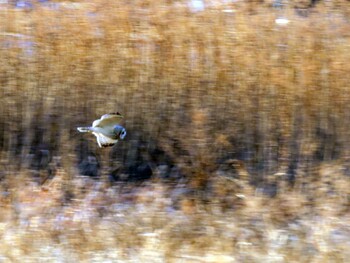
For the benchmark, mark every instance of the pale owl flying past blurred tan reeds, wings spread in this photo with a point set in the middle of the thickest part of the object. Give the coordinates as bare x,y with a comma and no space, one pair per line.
106,129
